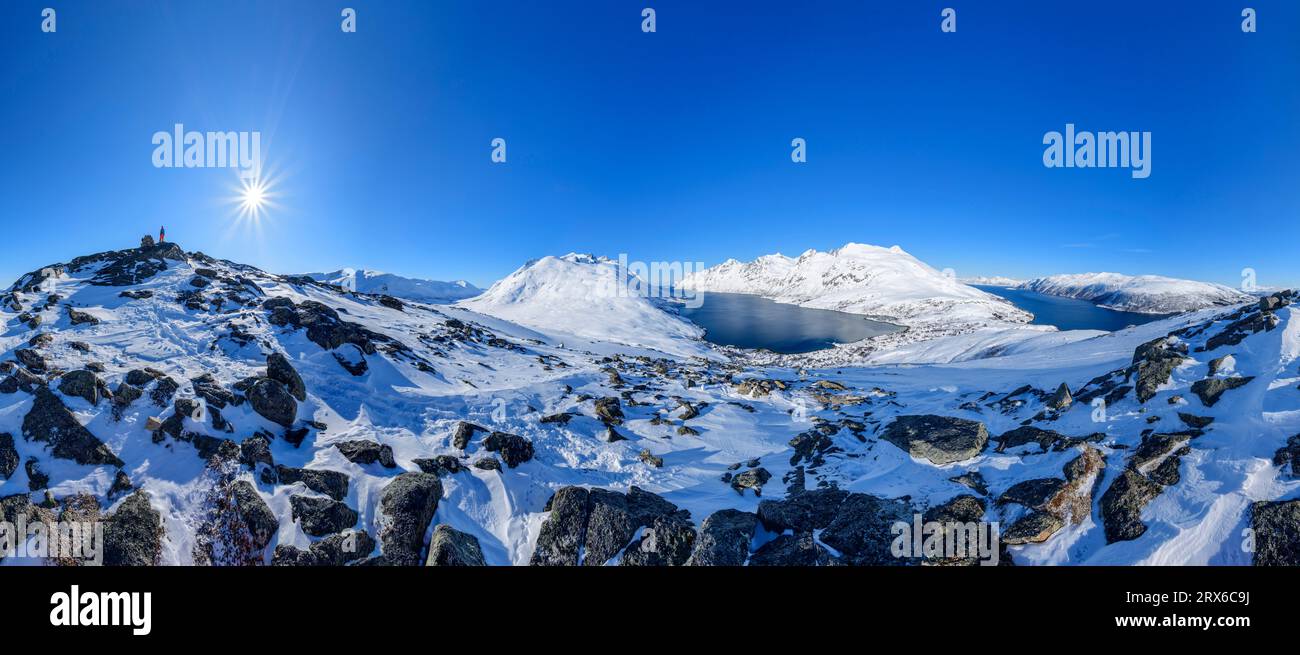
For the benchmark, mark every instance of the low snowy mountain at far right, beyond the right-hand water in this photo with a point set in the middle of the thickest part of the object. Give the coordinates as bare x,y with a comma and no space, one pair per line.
1141,294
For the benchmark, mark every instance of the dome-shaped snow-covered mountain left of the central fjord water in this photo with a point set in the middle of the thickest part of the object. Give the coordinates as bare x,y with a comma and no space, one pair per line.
588,297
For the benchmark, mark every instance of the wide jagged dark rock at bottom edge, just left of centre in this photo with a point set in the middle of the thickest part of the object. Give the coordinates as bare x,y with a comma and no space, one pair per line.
591,527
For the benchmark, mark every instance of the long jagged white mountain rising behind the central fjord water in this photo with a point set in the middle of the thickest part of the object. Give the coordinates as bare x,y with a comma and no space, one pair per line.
866,280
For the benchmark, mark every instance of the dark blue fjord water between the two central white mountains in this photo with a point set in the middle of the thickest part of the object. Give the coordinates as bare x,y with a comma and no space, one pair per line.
751,322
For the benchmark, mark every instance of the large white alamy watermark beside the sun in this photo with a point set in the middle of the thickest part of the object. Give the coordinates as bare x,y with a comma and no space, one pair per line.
181,149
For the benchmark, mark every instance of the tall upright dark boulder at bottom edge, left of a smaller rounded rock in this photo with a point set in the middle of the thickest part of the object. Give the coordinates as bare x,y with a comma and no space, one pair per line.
408,509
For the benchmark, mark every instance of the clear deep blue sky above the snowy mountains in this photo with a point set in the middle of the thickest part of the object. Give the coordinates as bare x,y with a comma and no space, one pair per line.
669,146
